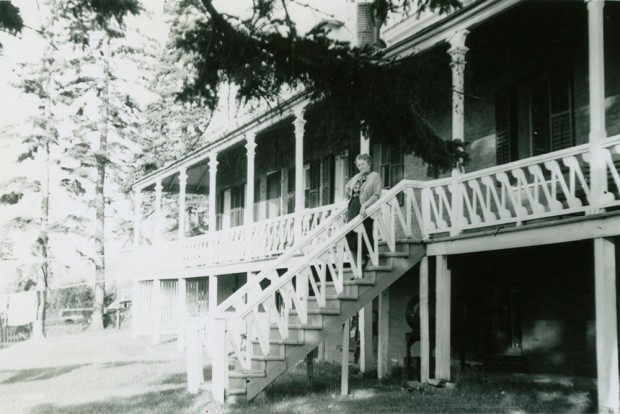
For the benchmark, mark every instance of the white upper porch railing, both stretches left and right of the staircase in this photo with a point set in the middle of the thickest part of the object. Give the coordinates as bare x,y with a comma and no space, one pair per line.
545,187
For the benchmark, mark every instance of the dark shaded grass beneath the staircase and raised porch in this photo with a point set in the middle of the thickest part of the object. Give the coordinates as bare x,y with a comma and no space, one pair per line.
292,393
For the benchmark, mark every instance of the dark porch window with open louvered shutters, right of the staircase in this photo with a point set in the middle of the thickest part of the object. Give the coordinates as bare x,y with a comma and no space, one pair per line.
534,116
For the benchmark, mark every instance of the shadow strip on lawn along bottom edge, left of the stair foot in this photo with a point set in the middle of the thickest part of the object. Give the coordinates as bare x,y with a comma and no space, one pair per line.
170,401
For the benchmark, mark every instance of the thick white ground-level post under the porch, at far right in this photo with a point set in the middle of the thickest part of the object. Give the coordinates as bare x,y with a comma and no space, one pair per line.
606,326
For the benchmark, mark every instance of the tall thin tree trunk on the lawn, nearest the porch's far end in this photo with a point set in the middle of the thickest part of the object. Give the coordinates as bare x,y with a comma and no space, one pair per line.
99,306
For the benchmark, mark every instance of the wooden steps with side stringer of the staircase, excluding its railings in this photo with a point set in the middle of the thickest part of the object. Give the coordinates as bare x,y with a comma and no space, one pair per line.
245,384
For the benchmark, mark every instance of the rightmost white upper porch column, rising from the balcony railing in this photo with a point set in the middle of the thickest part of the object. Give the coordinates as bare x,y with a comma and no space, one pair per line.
596,45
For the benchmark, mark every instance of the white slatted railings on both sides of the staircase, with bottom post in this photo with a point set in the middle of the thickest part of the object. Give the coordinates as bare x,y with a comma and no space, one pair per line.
249,313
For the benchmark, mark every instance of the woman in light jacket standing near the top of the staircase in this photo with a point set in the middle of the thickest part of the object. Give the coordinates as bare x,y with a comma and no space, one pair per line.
362,190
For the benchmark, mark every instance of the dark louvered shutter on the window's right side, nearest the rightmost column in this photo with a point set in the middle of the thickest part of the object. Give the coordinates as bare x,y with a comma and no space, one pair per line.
561,111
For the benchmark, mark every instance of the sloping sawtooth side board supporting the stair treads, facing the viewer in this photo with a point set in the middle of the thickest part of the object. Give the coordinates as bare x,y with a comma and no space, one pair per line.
333,323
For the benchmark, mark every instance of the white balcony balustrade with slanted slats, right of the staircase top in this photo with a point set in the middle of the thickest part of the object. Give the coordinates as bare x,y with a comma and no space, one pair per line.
549,186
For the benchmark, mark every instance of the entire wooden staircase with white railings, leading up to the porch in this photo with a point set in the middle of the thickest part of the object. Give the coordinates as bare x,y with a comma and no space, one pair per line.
286,311
